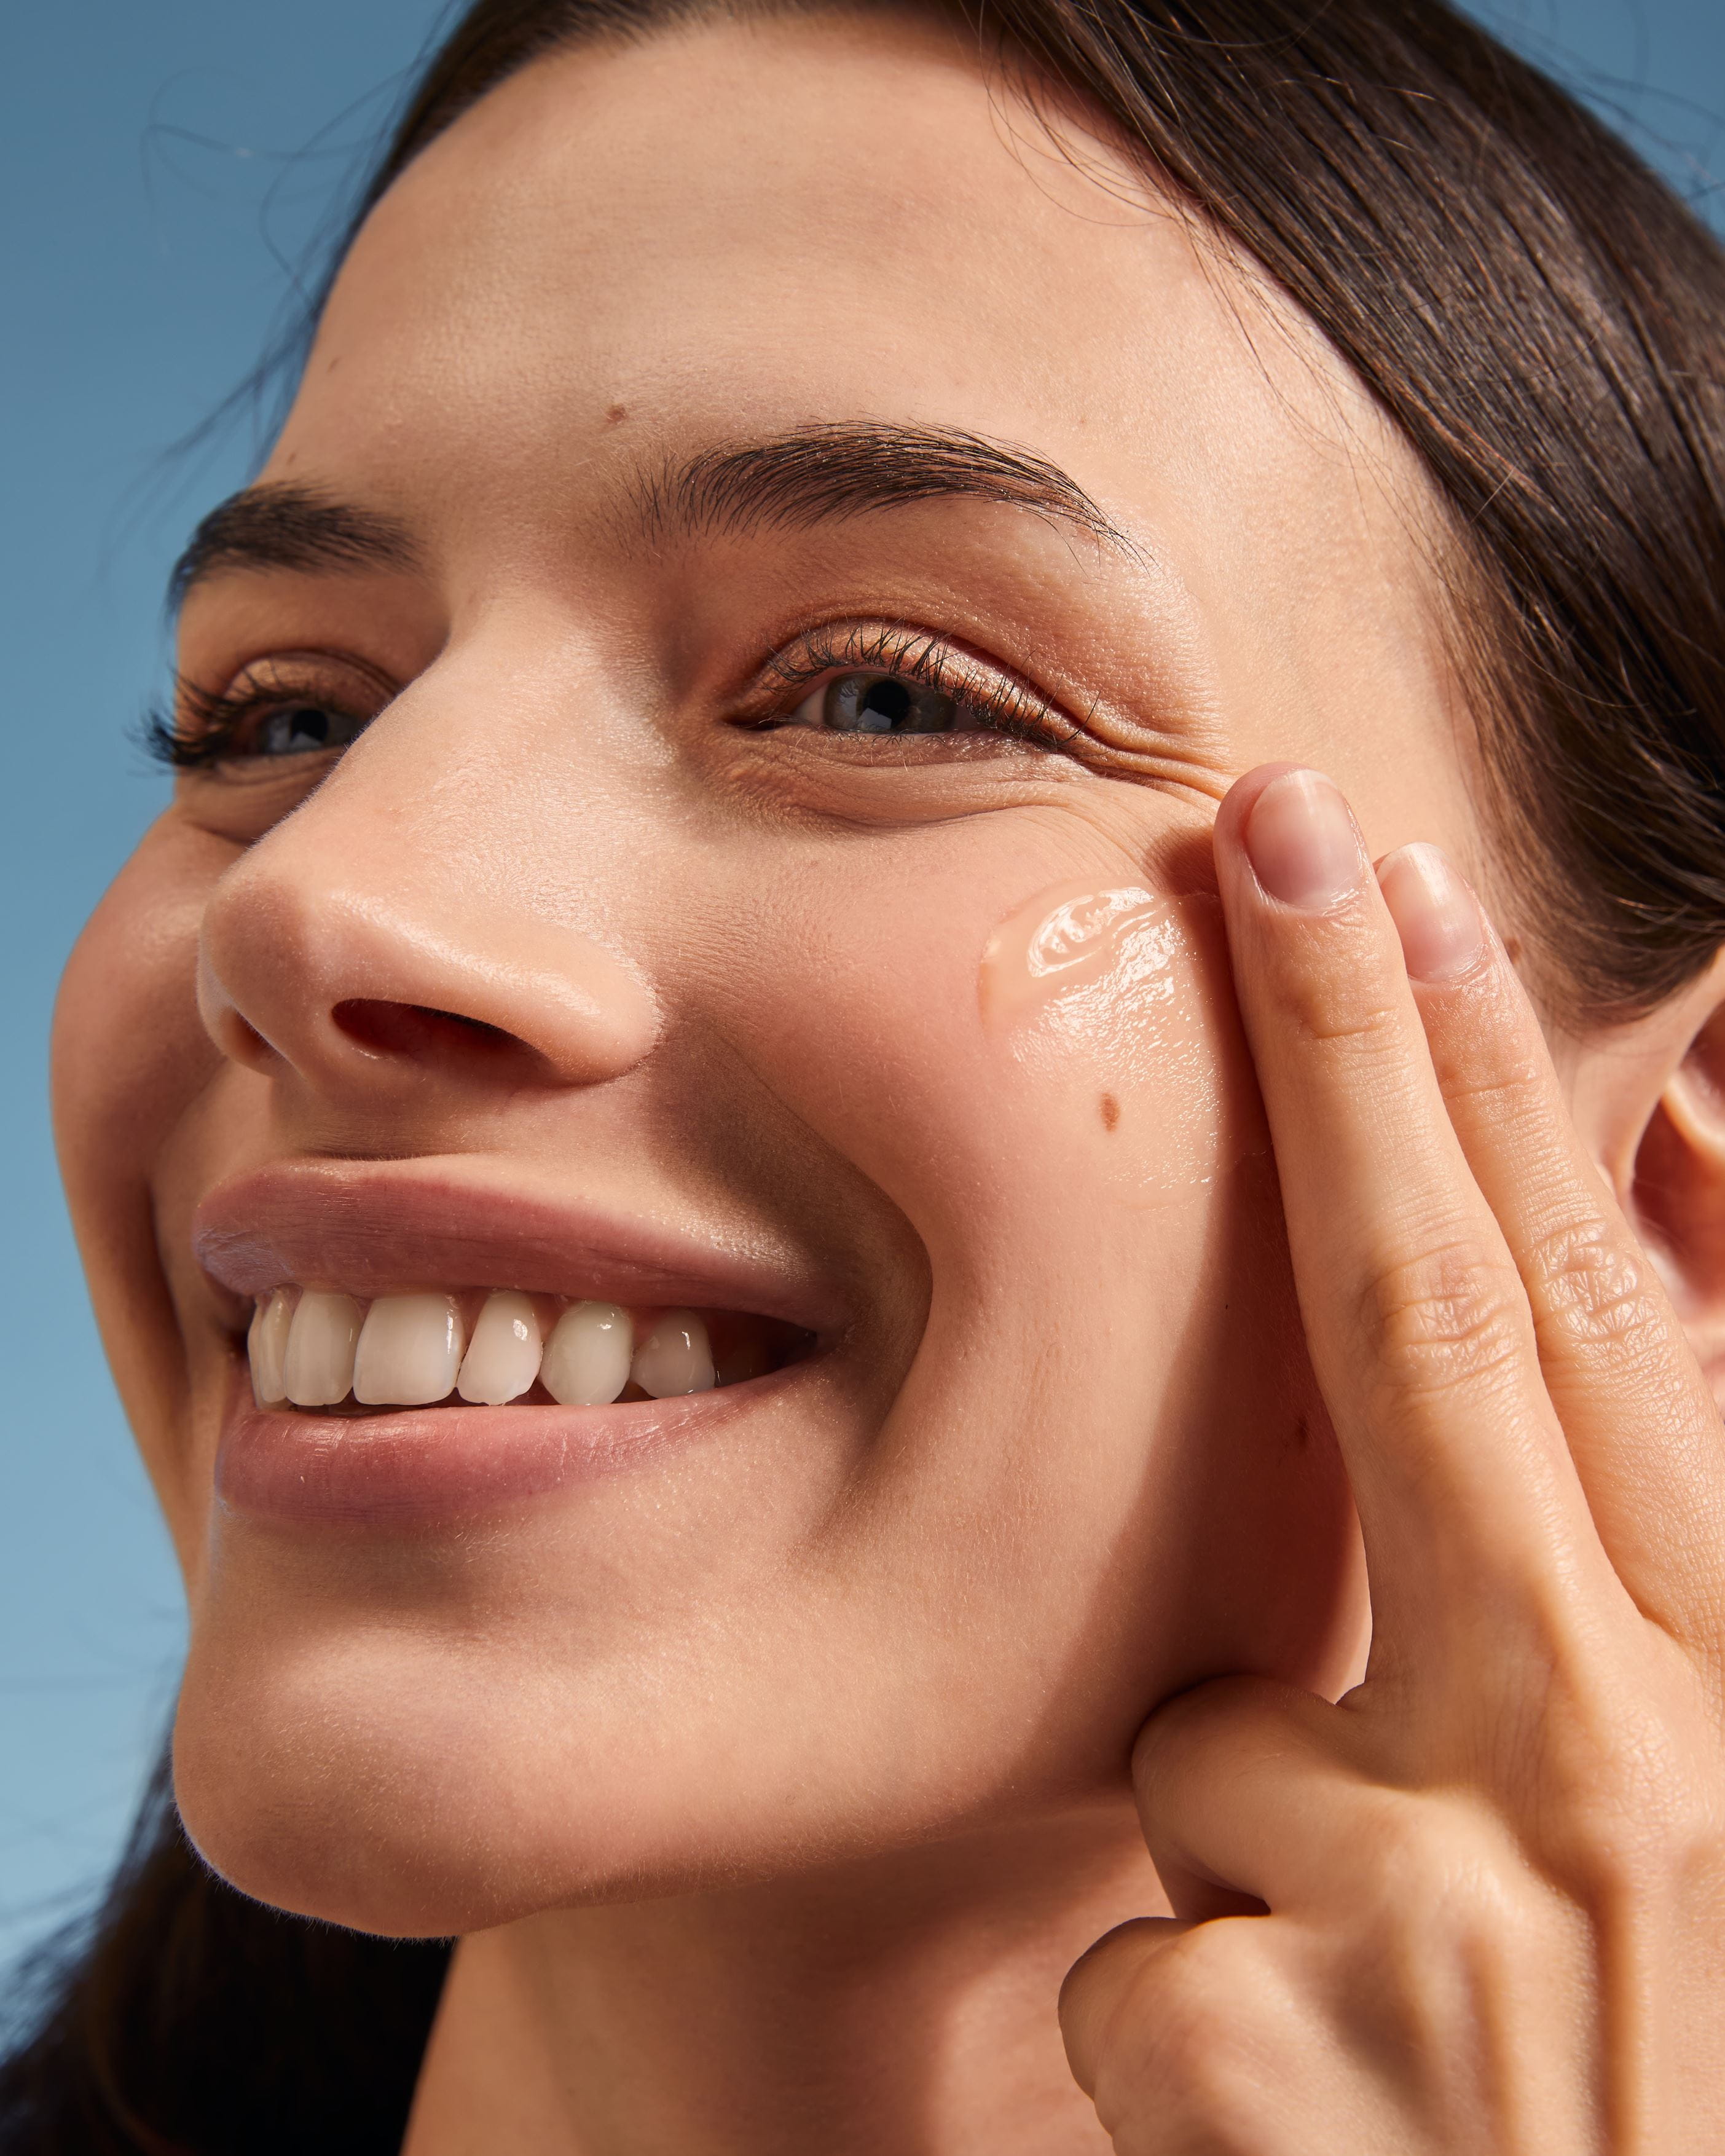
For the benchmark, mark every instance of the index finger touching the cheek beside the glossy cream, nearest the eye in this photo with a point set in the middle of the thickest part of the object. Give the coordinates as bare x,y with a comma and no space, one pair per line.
1416,1316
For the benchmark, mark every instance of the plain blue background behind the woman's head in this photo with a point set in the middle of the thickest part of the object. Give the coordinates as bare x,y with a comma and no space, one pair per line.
167,167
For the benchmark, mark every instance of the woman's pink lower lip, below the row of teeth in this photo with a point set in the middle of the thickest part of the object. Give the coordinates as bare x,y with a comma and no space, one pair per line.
422,1467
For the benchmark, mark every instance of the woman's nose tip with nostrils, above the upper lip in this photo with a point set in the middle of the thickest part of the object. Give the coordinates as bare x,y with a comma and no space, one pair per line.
353,952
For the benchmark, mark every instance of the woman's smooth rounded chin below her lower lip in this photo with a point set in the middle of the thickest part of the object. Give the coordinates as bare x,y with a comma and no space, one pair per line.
391,1784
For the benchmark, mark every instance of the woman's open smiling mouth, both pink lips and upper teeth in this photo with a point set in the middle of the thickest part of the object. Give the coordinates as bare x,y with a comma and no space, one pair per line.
378,1398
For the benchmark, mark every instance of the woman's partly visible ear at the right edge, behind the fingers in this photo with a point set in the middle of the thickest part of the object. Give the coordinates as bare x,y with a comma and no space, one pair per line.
1651,1105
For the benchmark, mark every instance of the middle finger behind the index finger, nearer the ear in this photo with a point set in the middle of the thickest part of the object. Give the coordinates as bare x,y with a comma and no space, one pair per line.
1633,1402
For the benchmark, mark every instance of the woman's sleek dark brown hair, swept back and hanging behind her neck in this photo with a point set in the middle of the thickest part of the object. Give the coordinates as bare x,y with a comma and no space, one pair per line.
1545,324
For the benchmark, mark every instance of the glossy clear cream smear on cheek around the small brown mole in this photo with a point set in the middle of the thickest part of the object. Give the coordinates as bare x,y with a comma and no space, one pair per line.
1122,1006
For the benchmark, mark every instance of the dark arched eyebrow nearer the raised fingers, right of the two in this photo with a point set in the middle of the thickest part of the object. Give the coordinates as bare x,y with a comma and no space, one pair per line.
814,475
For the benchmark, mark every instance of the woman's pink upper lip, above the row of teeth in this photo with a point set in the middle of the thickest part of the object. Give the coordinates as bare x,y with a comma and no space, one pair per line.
378,1228
